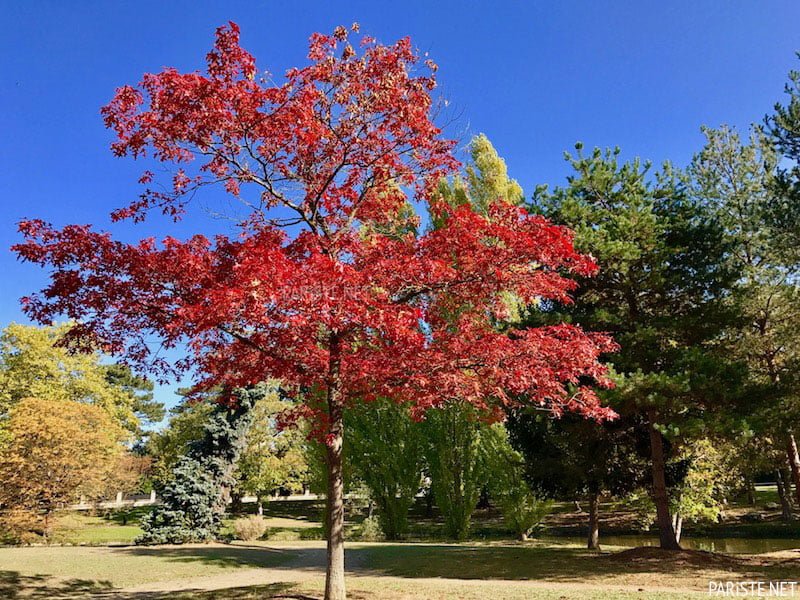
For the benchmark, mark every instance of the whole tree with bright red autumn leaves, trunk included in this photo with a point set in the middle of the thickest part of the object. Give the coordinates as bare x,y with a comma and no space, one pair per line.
327,285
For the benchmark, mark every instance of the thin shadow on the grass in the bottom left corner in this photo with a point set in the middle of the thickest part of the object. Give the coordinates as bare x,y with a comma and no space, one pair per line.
15,586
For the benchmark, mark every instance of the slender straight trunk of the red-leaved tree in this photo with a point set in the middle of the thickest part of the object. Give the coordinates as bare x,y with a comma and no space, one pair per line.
334,575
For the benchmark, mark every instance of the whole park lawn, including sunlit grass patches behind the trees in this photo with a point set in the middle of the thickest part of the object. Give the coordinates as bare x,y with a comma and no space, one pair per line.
96,559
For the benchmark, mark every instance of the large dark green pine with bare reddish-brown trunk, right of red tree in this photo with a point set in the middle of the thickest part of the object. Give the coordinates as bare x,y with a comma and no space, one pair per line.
661,292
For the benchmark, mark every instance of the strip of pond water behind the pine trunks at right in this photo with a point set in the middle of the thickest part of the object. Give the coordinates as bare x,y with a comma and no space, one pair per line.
726,545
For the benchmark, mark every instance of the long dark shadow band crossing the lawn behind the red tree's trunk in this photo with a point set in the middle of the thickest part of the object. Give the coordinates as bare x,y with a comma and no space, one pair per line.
473,561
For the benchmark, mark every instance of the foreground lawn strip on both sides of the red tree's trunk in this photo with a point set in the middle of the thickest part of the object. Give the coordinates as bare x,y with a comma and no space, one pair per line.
377,570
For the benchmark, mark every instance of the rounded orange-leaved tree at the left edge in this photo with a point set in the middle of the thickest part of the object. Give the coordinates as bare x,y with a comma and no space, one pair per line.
54,451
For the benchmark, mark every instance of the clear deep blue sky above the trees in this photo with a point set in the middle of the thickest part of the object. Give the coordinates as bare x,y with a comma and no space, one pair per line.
535,76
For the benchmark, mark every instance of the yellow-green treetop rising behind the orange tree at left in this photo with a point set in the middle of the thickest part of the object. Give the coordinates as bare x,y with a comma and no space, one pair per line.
33,364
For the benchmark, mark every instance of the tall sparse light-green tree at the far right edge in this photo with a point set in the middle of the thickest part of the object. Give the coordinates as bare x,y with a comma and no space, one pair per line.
738,180
